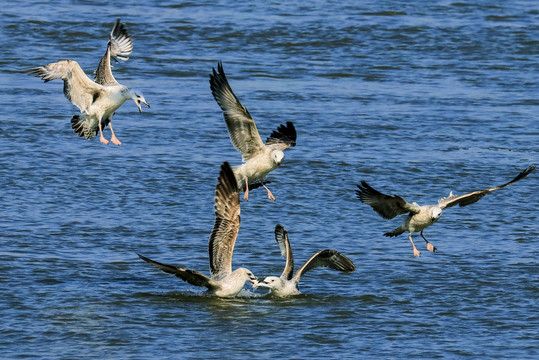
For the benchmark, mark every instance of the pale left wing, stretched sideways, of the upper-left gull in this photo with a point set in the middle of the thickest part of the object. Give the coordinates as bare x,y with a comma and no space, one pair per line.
78,87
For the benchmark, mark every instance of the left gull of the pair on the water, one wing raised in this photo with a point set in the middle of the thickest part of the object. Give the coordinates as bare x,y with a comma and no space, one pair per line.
223,281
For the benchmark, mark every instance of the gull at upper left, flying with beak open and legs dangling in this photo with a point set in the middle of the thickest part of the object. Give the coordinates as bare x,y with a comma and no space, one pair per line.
97,100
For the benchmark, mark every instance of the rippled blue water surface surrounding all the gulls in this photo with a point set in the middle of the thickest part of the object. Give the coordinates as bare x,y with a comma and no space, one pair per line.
419,99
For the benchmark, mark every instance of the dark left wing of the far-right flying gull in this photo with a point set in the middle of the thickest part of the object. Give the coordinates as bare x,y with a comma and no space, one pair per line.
386,206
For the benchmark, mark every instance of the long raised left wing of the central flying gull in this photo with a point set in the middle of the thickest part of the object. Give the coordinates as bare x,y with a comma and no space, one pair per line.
240,124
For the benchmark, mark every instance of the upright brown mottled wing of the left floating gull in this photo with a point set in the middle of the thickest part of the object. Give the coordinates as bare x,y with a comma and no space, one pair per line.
227,223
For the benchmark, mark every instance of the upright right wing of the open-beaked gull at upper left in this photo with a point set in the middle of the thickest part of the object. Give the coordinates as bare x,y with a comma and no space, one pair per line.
120,45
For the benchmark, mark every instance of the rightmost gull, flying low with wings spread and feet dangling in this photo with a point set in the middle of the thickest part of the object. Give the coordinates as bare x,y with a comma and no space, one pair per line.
420,217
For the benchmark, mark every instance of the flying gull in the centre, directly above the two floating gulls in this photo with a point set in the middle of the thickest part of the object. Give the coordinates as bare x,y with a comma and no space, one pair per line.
259,158
